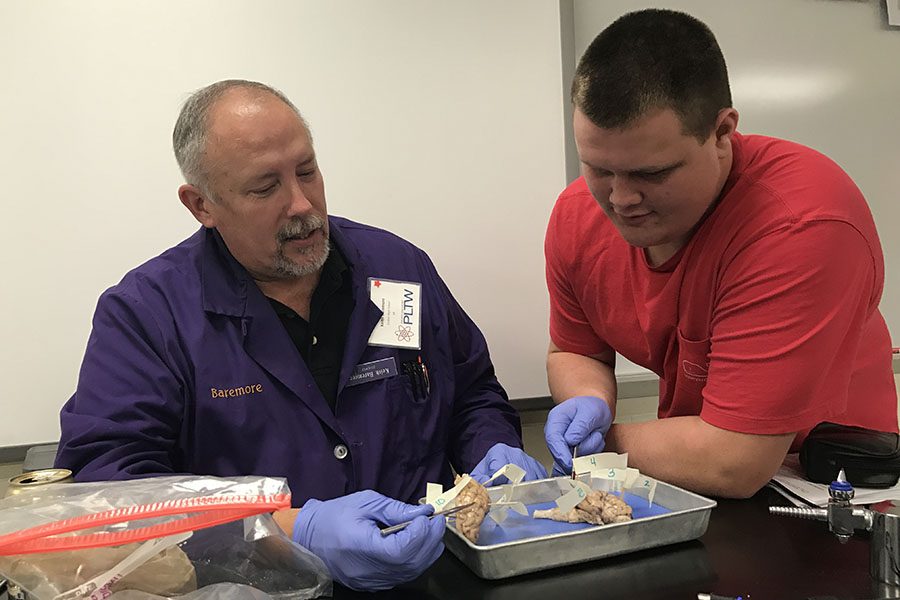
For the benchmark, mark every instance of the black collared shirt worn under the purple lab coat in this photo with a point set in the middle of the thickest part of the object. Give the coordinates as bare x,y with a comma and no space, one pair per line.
321,340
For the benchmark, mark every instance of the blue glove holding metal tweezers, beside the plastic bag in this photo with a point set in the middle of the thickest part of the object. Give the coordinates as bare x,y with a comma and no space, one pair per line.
344,533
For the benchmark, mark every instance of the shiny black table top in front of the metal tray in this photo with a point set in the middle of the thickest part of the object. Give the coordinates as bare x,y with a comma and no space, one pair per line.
745,551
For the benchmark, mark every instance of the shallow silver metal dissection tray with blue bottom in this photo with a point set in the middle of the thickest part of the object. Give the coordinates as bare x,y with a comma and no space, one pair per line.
523,544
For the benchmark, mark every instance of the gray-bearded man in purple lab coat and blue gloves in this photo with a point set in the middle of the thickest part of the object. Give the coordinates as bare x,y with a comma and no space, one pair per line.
280,341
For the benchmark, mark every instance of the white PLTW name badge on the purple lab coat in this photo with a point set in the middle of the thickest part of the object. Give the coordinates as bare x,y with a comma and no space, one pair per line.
400,324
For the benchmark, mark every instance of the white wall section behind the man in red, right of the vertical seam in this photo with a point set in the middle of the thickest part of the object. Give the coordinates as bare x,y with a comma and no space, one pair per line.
825,73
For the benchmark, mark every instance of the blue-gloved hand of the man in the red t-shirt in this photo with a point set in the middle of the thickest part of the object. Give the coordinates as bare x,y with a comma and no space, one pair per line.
580,421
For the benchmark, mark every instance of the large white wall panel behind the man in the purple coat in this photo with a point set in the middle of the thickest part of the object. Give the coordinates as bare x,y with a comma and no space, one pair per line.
441,121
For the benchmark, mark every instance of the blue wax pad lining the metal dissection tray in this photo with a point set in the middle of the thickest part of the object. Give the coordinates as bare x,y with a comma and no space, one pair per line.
519,527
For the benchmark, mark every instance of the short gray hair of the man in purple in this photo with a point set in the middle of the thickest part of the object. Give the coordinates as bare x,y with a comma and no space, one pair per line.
191,128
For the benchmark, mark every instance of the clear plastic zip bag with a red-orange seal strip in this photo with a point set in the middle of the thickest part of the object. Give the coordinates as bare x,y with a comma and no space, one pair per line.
168,537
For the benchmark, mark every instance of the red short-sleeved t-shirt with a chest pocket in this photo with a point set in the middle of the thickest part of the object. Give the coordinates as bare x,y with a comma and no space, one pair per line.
766,322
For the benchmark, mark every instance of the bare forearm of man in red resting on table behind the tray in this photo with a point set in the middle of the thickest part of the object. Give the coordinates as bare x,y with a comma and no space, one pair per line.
690,453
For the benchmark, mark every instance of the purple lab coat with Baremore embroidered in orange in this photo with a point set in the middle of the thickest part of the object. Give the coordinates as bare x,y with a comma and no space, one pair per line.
191,323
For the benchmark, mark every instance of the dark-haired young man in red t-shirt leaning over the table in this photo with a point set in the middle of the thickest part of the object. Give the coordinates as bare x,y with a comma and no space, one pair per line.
745,271
